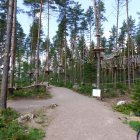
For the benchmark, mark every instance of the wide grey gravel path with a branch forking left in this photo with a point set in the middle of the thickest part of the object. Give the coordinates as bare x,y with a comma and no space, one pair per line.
71,116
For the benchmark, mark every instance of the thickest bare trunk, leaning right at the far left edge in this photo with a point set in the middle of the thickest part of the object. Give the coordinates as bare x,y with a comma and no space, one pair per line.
4,86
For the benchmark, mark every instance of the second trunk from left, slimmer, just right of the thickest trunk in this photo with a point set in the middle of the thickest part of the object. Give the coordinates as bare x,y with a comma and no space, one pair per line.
13,45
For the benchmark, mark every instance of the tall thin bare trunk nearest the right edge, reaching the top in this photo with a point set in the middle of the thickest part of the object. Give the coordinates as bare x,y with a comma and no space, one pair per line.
128,59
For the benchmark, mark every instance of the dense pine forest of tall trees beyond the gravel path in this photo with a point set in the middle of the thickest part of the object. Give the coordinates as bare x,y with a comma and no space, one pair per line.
72,58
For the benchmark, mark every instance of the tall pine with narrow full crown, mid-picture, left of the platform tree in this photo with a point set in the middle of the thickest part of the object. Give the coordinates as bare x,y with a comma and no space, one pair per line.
75,19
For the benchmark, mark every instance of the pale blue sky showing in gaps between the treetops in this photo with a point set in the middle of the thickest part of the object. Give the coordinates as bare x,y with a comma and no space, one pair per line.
110,6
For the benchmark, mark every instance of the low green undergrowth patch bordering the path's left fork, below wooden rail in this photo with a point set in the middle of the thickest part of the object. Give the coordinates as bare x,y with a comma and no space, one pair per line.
33,92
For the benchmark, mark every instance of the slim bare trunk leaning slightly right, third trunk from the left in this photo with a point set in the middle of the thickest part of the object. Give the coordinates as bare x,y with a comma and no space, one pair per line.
38,43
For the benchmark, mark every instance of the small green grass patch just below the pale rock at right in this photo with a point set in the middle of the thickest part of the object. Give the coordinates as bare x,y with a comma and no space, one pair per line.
124,109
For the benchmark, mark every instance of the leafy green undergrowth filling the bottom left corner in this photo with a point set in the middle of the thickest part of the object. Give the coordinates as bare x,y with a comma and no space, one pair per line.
10,129
